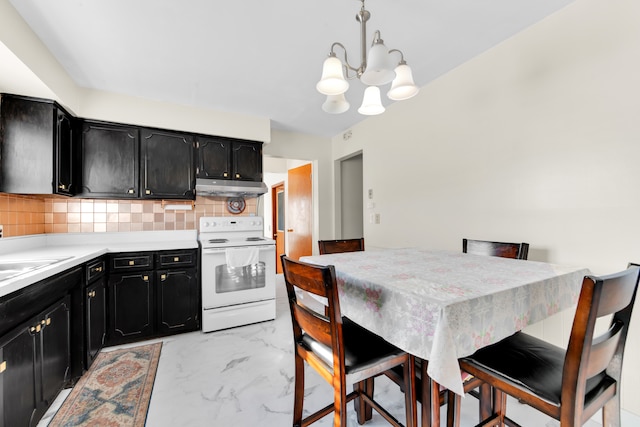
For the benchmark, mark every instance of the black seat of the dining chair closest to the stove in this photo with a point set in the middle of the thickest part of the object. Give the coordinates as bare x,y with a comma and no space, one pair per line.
362,348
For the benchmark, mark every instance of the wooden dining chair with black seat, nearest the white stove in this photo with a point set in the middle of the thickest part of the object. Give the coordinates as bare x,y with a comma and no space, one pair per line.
341,351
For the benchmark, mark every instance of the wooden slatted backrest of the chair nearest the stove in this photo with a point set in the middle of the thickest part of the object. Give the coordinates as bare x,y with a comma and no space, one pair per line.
326,327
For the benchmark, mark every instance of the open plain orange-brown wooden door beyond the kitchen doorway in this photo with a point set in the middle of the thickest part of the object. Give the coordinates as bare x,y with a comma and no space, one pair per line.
299,212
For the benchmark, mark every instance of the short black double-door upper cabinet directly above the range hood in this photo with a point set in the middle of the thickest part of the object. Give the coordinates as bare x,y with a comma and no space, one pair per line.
224,158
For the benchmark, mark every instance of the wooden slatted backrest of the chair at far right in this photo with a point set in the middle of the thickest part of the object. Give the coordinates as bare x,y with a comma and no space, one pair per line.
593,359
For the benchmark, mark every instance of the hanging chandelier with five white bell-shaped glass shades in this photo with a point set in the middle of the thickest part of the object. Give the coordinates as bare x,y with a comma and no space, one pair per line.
375,71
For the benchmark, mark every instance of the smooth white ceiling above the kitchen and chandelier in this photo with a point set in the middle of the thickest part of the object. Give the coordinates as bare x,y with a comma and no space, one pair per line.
262,58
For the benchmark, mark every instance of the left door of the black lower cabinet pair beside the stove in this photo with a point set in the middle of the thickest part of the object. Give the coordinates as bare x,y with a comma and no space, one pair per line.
130,307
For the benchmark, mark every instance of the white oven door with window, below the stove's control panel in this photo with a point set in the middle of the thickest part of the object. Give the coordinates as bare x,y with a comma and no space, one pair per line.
223,285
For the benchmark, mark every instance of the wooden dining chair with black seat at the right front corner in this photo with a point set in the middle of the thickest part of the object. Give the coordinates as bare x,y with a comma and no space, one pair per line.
568,385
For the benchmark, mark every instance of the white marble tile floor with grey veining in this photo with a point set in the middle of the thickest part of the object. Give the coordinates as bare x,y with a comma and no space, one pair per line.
244,377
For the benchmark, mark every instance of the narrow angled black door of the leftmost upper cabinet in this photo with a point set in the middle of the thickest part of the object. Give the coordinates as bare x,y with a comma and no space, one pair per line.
64,149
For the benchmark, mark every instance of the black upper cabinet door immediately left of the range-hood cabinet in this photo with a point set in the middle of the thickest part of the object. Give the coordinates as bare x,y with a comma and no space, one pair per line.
167,165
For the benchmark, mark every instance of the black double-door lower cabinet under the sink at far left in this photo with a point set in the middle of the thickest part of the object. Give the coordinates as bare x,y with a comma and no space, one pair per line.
35,365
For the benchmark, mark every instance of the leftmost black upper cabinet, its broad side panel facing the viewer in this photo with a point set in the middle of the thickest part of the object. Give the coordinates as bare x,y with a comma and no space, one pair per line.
38,147
